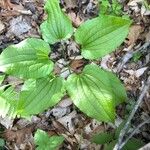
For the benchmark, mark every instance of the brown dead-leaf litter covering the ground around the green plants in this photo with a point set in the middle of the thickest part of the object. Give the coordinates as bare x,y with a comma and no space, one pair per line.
20,19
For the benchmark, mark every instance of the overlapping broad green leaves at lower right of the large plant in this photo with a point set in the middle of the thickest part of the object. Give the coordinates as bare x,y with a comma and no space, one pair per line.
96,92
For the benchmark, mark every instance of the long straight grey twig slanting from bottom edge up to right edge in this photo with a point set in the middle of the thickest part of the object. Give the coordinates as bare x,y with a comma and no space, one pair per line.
124,130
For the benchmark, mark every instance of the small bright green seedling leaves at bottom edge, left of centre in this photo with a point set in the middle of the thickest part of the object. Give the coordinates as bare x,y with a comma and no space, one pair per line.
45,142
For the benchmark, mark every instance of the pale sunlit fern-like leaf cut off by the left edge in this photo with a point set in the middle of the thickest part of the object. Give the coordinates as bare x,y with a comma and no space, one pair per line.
8,102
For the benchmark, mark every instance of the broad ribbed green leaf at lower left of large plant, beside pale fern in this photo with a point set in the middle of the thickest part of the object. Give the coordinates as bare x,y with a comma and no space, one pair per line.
38,95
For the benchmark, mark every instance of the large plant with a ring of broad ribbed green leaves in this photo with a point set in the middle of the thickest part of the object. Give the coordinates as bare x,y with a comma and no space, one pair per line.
94,91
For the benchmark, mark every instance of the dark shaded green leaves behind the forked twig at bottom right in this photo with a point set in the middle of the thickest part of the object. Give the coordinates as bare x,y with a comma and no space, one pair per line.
109,140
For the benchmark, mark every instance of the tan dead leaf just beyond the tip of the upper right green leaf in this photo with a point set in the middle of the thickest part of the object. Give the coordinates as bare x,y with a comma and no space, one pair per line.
134,34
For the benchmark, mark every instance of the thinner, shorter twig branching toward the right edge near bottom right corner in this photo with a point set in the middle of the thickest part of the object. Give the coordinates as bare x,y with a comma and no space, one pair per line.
133,132
